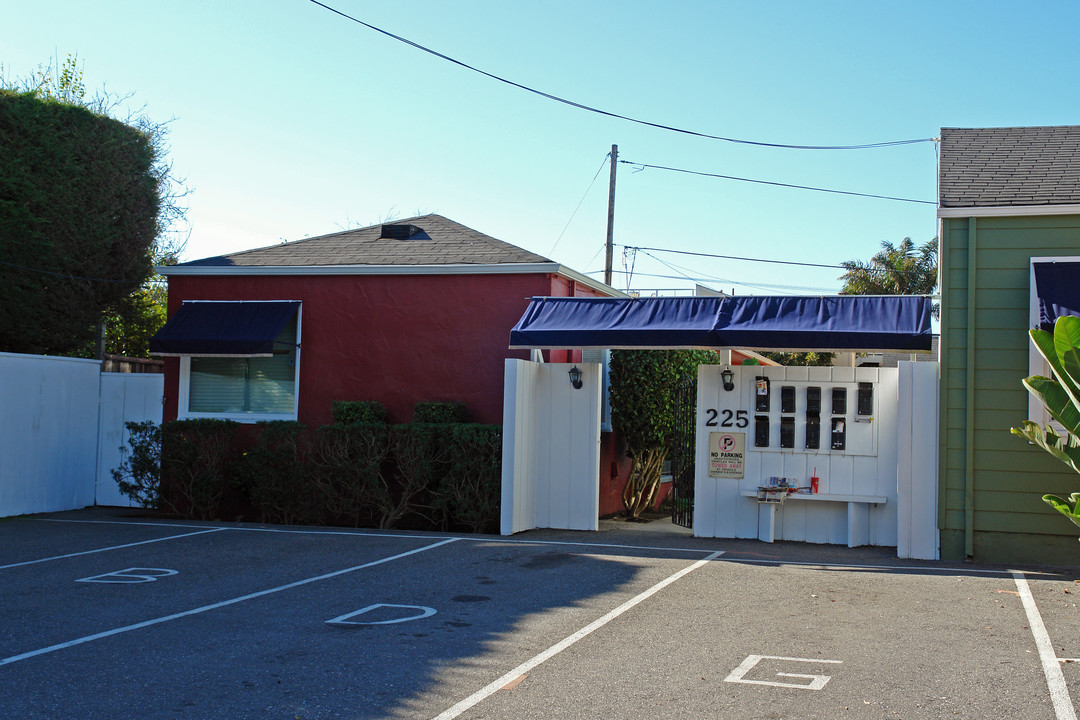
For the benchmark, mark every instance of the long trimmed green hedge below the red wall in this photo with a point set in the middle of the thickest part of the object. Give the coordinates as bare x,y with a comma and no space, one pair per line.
443,477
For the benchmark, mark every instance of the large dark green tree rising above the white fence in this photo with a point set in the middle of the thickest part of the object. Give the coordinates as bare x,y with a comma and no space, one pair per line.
88,205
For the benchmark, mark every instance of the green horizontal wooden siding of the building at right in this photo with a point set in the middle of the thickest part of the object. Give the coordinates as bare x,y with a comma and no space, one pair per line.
1009,477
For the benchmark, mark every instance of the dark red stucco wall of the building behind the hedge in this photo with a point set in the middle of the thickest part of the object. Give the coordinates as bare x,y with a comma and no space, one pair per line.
397,339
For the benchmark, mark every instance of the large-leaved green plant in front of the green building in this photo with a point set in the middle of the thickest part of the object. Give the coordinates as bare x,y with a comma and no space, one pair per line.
1061,397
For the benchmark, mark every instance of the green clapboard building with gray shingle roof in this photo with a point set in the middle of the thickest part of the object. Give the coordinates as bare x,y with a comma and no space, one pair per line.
1006,196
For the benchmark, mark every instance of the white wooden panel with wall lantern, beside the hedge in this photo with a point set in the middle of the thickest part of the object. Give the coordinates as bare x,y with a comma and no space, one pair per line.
551,439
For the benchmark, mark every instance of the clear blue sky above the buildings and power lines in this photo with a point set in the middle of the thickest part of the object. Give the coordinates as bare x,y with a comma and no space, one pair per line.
294,123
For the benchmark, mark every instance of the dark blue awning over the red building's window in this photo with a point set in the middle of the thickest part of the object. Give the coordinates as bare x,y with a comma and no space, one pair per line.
247,329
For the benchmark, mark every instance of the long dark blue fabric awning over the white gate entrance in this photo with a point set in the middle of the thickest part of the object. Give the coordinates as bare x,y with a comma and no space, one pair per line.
865,323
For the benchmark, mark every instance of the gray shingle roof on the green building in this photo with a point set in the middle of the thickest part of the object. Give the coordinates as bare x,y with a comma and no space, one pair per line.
1010,167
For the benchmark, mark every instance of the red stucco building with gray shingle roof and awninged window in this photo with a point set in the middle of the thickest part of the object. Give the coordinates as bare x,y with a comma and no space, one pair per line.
418,310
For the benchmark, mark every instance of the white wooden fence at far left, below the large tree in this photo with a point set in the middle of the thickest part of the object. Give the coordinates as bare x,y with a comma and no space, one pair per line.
62,427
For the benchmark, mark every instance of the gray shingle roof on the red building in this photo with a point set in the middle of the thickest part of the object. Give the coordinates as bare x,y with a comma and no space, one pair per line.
440,241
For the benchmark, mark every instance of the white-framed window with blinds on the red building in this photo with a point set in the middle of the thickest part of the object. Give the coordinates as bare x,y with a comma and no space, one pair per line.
247,386
